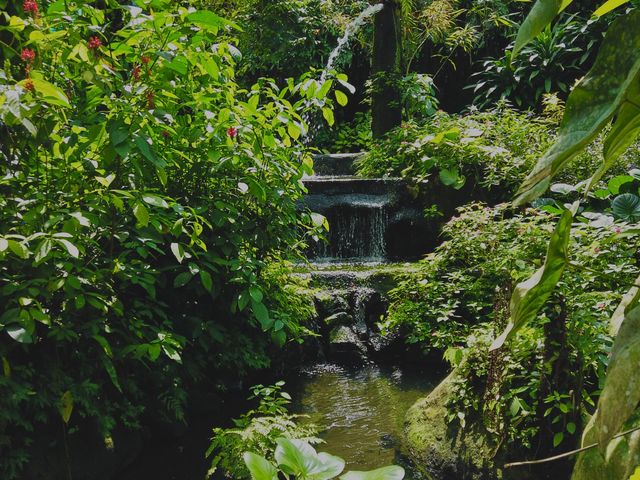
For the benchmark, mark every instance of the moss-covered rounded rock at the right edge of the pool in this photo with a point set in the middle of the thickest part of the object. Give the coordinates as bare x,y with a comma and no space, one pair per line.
442,451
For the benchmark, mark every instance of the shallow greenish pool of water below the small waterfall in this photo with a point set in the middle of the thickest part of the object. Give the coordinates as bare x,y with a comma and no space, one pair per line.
361,408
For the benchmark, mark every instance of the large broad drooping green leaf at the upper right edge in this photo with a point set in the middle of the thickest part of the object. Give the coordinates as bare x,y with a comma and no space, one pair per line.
592,103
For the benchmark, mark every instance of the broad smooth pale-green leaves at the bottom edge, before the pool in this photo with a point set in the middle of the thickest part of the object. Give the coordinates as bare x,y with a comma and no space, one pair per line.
298,458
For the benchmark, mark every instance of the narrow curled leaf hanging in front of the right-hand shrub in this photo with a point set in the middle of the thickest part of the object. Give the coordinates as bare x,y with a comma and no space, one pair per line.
529,296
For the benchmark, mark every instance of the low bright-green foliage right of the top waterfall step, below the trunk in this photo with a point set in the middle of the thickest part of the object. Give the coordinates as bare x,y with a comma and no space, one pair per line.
495,149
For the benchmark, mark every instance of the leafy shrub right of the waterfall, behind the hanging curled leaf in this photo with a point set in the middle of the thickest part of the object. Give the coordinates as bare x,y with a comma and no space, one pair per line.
458,302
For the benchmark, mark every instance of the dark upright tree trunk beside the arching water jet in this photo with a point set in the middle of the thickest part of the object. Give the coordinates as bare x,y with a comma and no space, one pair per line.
386,109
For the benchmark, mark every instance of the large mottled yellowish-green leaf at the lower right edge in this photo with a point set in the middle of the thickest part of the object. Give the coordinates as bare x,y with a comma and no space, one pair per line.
621,393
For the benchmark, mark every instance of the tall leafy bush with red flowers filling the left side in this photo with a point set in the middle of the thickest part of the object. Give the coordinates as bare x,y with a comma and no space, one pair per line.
144,196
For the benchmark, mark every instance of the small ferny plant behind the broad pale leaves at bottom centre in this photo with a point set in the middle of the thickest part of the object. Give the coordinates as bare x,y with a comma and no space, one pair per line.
258,431
